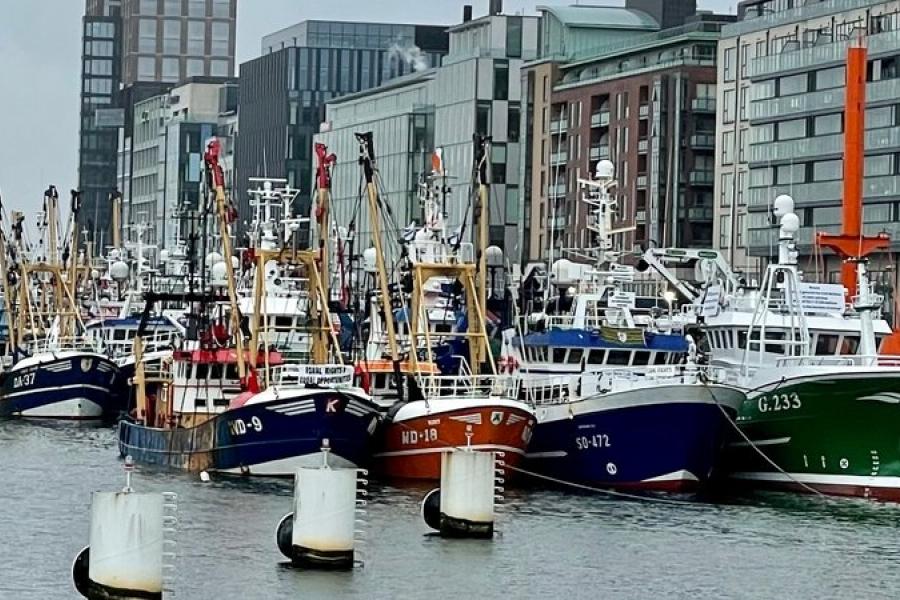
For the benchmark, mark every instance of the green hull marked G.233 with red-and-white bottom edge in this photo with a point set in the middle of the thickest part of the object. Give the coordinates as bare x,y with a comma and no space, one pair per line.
836,433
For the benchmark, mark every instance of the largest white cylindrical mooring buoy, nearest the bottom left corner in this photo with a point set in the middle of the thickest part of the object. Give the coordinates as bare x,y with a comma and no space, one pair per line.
127,554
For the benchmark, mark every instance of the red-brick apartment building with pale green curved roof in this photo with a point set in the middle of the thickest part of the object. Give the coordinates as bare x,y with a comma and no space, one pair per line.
614,86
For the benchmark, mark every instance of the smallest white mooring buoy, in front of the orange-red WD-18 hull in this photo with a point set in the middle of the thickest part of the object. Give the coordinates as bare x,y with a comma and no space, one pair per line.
464,504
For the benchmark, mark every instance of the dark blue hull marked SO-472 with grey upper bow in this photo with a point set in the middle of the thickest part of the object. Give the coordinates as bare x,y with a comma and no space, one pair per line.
666,437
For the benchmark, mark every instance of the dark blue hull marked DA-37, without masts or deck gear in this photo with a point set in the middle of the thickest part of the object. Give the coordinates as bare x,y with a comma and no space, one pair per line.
66,386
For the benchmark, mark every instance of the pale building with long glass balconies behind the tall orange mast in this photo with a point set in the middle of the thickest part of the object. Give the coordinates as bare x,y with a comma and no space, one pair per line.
780,126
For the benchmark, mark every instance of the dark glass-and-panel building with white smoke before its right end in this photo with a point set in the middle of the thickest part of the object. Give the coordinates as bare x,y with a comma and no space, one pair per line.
284,91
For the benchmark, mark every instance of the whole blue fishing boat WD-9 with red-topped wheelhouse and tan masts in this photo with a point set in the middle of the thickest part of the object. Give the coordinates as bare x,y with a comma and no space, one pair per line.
244,411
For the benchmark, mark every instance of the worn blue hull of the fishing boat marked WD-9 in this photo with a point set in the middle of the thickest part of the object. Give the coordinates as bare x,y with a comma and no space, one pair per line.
271,438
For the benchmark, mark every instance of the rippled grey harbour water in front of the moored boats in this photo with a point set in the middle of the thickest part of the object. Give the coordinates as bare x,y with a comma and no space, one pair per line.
552,544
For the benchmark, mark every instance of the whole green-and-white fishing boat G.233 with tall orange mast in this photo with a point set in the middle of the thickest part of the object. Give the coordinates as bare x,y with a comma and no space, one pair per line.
822,404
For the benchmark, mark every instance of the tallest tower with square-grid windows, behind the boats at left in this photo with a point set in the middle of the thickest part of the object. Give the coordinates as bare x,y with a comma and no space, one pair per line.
139,43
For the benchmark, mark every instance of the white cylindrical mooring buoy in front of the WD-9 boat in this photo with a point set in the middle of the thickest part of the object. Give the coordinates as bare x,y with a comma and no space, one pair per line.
322,531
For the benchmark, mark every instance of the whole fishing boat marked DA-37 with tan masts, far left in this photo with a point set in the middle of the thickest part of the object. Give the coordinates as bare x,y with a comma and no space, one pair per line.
56,373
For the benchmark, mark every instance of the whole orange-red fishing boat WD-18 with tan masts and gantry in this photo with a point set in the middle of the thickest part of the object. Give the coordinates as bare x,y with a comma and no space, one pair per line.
437,413
